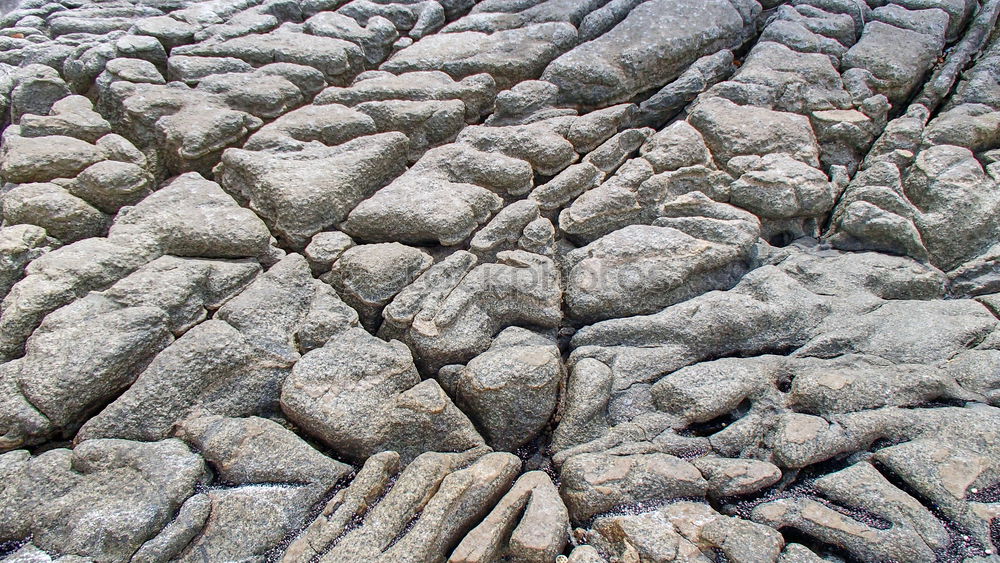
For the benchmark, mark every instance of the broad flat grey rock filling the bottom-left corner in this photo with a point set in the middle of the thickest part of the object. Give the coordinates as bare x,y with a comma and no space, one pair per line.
106,496
